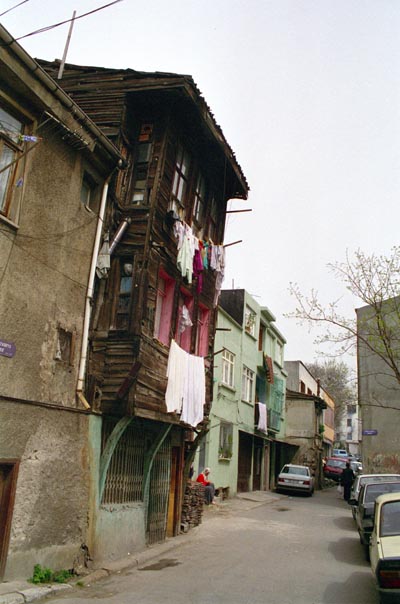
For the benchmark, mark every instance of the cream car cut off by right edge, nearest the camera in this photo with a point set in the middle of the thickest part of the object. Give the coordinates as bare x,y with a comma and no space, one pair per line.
384,548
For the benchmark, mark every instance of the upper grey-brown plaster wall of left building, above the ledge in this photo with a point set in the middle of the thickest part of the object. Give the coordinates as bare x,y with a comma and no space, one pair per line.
45,282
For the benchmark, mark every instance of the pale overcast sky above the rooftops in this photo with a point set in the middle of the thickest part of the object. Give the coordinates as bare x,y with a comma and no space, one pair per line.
307,93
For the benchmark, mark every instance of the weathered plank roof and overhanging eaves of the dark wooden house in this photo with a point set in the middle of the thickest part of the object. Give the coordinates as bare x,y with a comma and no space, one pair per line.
103,94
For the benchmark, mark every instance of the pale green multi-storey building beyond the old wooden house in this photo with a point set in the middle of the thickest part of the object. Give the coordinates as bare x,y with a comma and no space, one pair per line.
244,444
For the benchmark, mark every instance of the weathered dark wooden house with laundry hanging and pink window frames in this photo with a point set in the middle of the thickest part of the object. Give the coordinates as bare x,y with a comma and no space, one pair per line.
164,240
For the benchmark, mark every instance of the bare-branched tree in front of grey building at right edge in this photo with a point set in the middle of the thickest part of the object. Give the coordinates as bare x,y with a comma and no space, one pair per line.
375,282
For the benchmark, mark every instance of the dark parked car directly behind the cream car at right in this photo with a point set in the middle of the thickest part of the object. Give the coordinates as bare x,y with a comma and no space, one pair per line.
365,508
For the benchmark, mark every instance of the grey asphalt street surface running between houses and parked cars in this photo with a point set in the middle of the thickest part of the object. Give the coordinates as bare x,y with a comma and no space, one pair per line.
295,549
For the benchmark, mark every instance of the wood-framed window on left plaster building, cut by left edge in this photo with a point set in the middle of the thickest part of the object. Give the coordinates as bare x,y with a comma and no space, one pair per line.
10,149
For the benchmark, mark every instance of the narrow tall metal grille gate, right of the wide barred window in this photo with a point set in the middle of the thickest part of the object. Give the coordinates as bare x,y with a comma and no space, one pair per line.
159,494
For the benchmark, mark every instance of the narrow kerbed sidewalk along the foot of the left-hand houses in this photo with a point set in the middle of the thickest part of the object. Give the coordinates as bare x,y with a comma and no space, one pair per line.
21,592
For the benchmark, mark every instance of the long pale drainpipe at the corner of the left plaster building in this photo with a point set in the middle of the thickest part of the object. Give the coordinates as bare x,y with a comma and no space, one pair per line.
89,297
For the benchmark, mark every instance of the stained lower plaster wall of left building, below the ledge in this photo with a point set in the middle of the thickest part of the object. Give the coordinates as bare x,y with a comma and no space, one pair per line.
49,522
